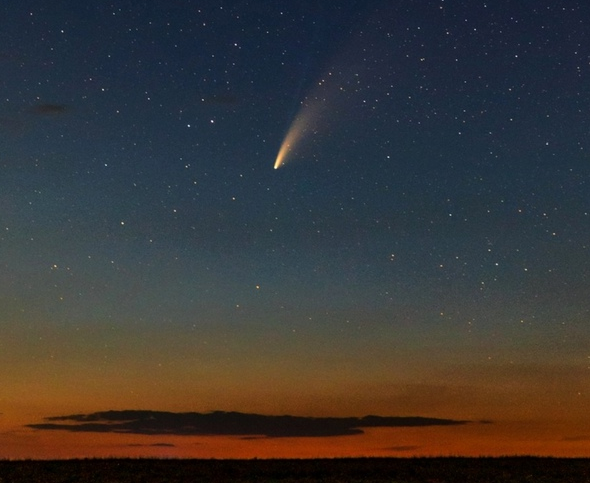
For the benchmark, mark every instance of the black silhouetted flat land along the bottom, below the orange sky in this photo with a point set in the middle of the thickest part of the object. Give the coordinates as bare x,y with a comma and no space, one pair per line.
353,470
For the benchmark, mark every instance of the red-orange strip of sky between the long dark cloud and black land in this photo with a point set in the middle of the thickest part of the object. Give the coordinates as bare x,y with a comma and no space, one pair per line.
475,439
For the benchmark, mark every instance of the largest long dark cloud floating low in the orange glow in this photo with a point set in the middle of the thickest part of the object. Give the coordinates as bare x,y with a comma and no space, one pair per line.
226,423
